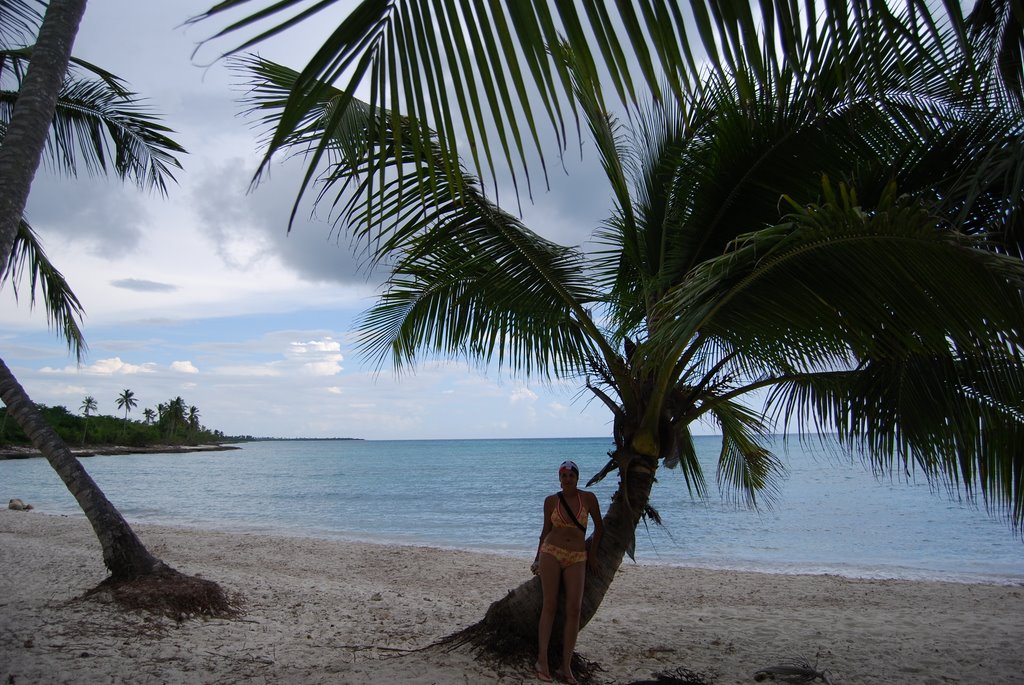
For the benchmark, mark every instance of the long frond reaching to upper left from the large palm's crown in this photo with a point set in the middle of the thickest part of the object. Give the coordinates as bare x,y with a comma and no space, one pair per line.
467,279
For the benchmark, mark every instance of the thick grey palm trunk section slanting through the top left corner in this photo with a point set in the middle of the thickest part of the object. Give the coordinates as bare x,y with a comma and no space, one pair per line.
30,123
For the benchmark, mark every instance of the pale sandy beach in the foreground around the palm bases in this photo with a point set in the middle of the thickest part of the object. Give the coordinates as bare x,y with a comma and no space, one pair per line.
324,612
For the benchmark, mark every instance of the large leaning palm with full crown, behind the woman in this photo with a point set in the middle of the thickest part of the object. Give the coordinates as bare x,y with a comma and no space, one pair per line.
821,240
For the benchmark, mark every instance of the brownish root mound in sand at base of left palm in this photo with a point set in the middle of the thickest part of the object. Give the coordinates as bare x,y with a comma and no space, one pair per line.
167,593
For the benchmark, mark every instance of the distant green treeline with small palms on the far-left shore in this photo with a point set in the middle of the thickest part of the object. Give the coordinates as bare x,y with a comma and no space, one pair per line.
169,427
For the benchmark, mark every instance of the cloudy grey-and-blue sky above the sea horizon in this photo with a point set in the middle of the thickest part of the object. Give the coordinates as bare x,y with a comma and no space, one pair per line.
205,295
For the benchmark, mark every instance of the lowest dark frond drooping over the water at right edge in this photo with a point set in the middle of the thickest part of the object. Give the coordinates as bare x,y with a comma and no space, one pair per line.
941,417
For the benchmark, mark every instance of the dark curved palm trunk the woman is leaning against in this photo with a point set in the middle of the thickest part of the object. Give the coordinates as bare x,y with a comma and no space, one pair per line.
509,627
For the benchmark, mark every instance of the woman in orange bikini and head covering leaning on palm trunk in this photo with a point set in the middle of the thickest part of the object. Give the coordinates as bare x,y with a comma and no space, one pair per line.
563,559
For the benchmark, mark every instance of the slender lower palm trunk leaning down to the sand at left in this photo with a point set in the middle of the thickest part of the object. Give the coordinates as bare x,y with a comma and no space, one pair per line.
124,554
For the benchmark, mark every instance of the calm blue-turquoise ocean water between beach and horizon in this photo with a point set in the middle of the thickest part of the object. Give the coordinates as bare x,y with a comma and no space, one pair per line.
832,517
